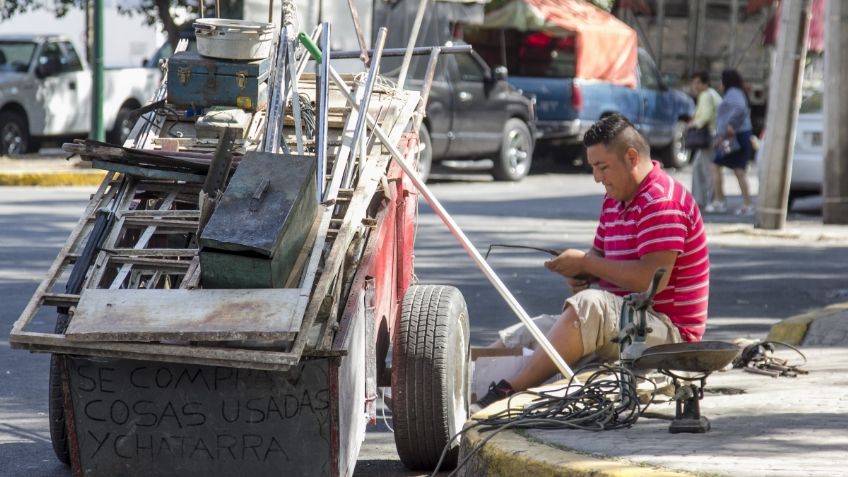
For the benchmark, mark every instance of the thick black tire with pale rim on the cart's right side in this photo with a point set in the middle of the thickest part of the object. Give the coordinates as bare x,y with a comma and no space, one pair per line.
430,378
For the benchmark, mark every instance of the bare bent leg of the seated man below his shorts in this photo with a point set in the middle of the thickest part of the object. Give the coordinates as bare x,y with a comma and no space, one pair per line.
566,339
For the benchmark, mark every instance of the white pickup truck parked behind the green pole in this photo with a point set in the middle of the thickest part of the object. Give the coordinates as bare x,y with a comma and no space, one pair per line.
45,92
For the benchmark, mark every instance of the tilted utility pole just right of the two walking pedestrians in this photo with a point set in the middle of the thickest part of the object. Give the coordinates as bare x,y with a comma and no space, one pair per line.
783,105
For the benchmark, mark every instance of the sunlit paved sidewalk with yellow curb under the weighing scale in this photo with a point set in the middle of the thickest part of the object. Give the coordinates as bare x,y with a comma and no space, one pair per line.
761,426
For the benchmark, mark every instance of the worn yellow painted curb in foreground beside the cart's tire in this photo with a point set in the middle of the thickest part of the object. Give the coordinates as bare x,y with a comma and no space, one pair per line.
509,454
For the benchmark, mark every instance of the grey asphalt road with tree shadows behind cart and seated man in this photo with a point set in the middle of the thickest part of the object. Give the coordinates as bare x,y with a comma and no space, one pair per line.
755,282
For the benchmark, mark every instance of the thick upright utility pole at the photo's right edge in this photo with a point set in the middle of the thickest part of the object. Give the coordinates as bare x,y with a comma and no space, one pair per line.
835,208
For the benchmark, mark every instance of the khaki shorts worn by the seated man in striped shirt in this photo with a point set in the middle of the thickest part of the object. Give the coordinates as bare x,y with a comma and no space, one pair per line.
599,313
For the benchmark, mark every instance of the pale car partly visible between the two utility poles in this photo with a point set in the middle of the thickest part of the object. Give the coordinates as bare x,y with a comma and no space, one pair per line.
808,155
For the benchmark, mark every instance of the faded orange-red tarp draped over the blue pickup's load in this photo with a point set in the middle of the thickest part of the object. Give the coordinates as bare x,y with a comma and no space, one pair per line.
606,48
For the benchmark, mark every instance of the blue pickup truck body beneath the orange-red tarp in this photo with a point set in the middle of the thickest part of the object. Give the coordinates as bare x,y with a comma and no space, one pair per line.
567,106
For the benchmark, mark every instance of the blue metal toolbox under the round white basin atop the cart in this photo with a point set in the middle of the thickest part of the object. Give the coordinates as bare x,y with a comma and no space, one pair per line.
200,82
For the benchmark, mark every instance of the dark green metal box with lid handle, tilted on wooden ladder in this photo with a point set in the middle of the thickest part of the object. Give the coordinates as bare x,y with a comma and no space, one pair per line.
263,220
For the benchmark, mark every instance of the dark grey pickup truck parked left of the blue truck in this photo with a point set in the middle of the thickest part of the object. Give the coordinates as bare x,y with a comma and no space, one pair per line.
473,113
